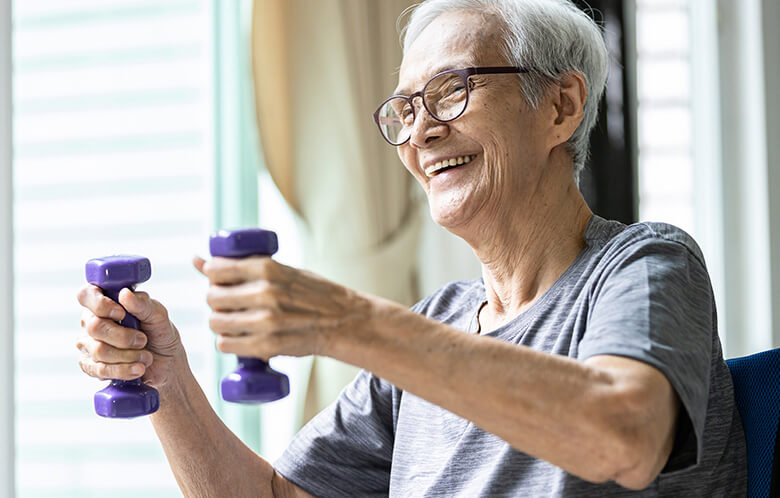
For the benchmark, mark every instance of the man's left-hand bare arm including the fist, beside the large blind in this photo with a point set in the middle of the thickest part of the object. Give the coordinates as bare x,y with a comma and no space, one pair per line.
205,457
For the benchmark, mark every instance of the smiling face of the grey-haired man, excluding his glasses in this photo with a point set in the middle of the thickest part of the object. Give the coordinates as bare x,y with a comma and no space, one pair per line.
501,143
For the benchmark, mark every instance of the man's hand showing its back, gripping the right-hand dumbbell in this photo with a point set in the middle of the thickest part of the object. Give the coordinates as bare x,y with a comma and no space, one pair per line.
261,308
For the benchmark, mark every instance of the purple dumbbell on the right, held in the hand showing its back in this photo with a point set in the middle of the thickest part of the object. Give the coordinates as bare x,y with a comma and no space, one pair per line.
253,381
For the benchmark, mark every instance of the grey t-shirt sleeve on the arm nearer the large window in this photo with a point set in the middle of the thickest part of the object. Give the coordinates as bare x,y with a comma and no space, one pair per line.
346,449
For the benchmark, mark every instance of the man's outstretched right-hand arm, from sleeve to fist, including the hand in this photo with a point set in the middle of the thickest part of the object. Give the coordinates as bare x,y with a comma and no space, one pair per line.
609,418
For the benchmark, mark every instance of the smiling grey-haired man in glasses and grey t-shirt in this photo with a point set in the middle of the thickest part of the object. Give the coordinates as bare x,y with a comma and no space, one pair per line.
584,362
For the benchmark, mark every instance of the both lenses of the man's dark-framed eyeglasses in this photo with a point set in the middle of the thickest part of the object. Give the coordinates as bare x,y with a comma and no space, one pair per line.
444,96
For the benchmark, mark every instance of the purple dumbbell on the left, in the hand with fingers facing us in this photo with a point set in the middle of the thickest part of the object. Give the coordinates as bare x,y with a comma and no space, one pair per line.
131,398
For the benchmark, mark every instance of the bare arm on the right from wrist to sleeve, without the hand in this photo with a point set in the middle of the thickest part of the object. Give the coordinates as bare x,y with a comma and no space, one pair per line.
609,418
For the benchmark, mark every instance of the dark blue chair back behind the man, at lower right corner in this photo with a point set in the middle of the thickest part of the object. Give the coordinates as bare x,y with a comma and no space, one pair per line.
757,392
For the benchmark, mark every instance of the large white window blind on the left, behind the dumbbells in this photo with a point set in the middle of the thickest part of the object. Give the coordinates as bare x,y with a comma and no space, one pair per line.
113,136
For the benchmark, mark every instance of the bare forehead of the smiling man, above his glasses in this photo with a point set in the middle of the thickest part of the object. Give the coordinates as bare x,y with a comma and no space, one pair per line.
452,40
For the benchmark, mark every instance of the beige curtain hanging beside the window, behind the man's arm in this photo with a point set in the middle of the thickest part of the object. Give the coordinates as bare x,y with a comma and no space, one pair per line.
320,69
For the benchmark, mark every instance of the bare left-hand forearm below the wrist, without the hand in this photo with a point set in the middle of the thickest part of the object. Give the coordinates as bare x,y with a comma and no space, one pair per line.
207,459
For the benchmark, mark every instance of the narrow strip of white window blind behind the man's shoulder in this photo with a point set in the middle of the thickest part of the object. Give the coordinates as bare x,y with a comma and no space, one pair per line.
665,116
